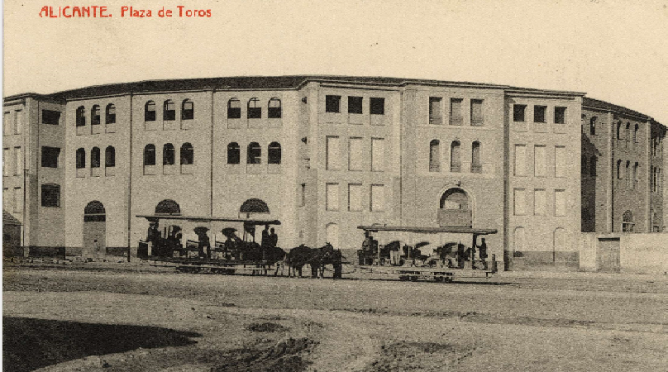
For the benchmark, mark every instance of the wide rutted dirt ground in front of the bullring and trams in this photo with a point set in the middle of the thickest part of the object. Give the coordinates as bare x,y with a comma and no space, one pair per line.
140,318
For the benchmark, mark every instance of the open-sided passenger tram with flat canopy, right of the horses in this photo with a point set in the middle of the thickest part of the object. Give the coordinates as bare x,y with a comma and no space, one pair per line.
429,253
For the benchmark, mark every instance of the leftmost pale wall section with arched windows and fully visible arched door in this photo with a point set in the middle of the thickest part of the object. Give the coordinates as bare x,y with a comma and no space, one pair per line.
109,186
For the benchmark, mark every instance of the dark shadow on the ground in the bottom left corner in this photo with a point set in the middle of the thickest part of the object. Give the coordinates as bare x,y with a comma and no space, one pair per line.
30,343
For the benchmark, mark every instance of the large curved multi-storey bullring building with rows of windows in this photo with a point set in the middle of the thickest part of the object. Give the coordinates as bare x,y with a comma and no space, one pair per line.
325,154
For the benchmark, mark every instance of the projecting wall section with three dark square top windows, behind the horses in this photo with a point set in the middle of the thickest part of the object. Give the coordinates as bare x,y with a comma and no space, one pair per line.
344,218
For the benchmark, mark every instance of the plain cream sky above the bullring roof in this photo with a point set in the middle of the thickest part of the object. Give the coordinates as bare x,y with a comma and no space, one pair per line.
613,50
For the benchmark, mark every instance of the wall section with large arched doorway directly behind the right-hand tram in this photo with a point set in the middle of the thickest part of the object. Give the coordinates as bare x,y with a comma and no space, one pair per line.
424,184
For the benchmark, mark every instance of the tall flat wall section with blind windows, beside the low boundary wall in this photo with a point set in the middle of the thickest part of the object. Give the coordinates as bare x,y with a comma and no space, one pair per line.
543,198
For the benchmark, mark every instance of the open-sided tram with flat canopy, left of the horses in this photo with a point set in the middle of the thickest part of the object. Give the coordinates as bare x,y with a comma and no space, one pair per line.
169,242
